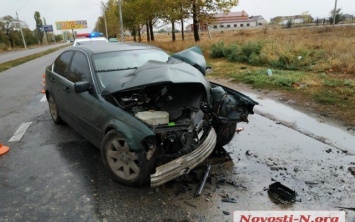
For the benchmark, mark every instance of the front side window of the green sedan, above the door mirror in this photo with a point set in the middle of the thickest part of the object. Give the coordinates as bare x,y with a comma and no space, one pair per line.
79,70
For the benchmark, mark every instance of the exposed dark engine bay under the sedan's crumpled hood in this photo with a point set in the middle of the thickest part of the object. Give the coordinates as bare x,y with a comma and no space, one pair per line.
187,111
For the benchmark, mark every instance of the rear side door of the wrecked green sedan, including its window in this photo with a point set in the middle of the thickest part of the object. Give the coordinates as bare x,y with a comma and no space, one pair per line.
57,81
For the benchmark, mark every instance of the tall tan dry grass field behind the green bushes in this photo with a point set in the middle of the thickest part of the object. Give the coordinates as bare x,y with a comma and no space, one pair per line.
336,43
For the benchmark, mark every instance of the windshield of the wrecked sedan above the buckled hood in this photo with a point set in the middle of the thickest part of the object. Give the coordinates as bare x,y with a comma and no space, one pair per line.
112,65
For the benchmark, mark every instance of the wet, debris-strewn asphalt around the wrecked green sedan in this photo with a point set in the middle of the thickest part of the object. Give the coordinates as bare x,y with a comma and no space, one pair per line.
54,174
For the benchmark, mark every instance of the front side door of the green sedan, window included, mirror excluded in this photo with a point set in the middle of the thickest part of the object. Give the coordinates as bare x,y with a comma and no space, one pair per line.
85,106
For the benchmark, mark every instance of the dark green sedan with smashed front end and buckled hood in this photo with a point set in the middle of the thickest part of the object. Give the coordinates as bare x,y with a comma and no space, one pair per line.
153,116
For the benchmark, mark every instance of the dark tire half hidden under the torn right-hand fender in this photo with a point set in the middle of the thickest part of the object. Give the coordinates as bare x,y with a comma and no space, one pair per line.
225,133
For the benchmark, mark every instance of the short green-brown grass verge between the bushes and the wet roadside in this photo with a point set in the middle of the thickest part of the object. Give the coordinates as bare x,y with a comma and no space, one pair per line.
327,94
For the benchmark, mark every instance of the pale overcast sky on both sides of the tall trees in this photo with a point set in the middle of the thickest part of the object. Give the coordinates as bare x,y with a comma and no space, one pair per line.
65,10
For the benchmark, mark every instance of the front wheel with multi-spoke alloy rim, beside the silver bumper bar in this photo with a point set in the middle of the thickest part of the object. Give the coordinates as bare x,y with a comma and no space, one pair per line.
125,166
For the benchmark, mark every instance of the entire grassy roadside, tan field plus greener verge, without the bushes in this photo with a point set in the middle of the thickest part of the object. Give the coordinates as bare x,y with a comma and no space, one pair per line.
328,87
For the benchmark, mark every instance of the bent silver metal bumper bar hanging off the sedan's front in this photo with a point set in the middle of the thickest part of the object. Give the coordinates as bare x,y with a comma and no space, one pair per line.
184,164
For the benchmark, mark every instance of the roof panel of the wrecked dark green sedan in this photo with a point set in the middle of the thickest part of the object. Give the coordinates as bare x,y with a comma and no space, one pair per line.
110,47
